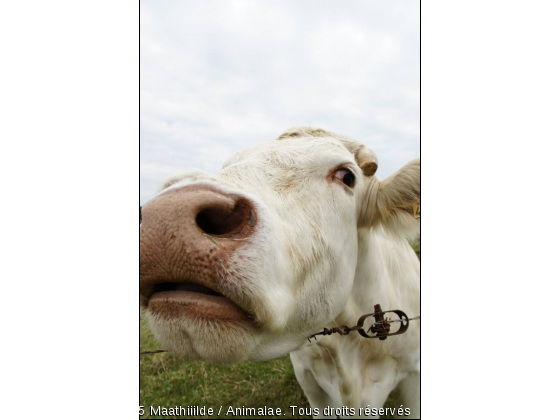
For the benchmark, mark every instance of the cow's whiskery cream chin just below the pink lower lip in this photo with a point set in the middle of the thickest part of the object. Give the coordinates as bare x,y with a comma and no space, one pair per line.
221,342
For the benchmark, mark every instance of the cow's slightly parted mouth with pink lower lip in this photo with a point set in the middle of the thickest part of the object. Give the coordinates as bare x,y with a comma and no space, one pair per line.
175,300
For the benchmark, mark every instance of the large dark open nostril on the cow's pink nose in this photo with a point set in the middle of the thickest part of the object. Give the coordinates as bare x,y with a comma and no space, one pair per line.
219,221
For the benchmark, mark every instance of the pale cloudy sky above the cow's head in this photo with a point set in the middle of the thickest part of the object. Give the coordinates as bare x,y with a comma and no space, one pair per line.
221,75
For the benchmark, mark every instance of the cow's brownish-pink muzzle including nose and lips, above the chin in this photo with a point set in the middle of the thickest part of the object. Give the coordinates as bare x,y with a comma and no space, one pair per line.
187,237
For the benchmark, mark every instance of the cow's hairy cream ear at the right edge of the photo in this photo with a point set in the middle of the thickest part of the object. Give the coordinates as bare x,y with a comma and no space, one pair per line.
394,202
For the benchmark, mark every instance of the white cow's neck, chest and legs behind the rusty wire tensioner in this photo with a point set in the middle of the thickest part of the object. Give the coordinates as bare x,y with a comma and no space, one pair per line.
352,371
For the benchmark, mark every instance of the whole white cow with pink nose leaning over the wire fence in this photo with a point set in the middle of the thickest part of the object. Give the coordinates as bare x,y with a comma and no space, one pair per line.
289,237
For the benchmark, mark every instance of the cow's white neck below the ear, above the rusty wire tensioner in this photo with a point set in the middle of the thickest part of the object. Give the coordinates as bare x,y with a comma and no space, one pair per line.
388,273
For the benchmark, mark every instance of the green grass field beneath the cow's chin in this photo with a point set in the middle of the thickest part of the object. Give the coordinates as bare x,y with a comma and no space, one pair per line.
168,382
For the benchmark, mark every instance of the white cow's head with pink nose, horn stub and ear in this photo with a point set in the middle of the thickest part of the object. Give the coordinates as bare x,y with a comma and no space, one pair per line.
246,264
